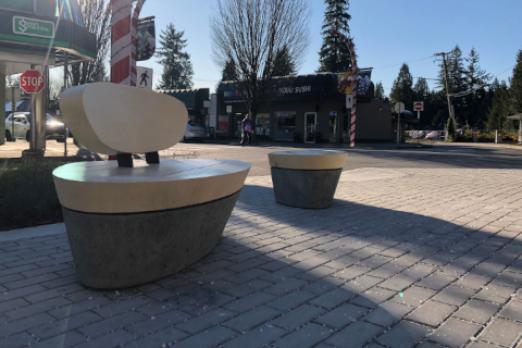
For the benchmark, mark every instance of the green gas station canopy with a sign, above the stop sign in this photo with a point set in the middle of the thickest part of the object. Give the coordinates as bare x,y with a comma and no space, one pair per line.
27,28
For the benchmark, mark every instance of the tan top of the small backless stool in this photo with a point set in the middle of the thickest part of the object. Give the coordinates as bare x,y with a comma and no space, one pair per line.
308,159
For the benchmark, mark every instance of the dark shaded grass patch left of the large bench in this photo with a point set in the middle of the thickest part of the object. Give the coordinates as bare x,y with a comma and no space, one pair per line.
27,194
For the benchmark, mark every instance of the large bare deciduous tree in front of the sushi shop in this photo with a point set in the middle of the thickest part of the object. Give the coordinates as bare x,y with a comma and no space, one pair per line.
250,33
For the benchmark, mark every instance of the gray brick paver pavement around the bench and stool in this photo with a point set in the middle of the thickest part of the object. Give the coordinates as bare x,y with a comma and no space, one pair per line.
409,257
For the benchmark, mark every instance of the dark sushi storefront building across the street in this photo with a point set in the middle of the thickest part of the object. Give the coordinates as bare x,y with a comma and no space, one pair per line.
305,109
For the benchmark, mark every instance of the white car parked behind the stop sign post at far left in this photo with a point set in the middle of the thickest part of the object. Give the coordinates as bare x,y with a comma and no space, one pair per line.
20,123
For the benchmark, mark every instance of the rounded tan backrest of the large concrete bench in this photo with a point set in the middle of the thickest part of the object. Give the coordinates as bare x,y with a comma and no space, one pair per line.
109,118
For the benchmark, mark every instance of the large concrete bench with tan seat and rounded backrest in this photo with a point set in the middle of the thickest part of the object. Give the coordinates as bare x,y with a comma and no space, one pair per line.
129,225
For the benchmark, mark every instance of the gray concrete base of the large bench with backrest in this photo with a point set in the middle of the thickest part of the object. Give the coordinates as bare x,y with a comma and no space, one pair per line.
124,250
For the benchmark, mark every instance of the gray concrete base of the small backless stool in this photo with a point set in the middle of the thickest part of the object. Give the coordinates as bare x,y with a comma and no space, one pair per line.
309,189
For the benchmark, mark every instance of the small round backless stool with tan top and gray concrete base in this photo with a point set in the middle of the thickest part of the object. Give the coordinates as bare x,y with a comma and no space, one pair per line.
306,178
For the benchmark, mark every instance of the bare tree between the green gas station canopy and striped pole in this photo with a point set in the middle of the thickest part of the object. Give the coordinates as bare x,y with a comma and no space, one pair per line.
97,17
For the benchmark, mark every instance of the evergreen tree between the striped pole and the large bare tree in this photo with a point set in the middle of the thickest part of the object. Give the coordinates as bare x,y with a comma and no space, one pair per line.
177,68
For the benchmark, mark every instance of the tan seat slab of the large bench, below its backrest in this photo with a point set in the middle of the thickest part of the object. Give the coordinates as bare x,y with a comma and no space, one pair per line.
105,188
